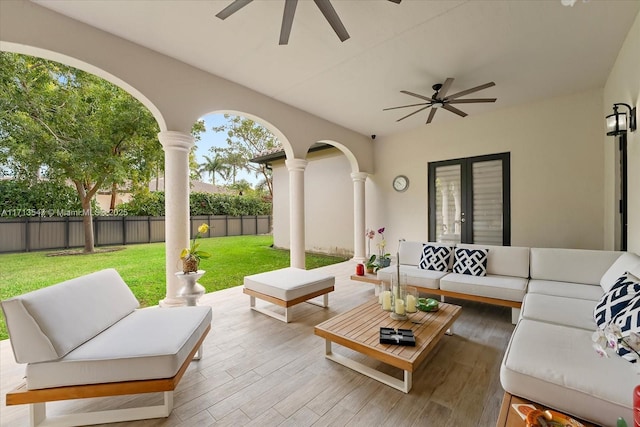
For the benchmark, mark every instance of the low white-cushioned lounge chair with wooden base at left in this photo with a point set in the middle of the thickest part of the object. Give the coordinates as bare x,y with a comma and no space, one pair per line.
86,337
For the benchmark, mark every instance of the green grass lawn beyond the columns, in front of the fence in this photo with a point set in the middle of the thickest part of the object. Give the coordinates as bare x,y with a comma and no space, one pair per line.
142,267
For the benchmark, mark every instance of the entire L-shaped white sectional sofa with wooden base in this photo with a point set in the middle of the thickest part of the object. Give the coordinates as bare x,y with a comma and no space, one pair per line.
550,358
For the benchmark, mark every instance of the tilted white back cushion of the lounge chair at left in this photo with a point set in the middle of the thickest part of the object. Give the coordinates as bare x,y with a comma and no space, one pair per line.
48,323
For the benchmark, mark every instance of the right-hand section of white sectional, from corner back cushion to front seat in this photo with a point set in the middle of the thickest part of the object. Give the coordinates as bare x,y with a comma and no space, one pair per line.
550,358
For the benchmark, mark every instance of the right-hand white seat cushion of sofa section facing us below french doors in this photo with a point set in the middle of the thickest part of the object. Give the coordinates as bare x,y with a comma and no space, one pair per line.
490,286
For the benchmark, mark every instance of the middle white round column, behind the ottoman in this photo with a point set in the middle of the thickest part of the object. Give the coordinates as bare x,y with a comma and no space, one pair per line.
296,211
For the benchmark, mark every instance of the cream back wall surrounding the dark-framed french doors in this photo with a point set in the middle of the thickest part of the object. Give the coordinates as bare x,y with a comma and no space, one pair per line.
556,169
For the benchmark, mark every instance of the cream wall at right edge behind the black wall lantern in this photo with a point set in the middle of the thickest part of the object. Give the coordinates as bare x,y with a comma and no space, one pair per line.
623,85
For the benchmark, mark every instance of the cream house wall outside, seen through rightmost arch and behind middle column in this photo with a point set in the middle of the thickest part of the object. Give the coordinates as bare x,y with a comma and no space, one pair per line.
328,203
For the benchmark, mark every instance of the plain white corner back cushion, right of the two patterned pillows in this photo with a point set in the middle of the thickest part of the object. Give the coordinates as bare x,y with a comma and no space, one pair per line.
571,265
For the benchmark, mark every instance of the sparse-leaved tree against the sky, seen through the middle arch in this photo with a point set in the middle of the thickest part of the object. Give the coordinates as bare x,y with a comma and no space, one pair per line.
246,140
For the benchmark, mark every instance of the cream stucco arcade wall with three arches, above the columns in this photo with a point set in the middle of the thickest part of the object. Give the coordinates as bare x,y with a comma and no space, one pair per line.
177,93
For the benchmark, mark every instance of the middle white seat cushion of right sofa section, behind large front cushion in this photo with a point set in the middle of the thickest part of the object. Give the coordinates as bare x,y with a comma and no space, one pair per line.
559,310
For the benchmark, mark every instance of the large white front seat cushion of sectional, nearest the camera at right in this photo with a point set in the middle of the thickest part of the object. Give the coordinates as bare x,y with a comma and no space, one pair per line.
556,366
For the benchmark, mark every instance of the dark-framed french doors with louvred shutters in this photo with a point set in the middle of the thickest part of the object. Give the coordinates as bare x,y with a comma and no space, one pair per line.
469,200
